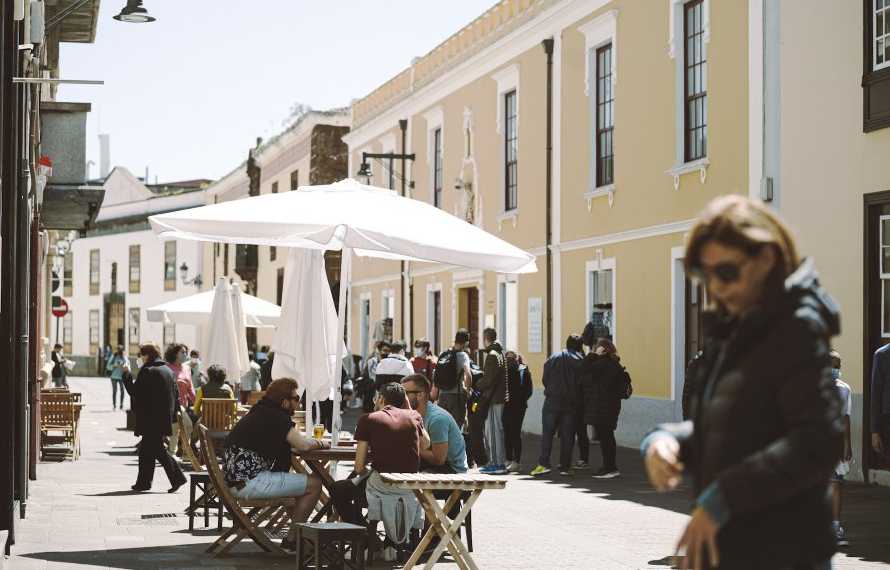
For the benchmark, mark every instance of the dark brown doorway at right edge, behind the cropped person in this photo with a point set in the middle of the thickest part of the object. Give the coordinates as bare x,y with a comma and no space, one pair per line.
877,310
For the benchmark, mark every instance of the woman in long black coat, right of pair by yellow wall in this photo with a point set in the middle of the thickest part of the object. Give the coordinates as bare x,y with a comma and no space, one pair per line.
601,383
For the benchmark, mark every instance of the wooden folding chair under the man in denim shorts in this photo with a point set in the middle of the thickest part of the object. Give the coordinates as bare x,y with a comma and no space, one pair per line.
245,524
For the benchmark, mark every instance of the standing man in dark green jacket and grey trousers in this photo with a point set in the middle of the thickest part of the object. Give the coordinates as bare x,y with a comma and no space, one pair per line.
495,393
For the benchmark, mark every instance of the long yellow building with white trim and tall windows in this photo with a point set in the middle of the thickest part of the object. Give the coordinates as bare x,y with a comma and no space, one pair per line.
648,107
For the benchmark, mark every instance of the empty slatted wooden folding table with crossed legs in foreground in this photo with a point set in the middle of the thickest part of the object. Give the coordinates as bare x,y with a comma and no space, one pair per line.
423,485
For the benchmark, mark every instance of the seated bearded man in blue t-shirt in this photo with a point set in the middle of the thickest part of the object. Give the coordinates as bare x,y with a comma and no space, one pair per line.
447,453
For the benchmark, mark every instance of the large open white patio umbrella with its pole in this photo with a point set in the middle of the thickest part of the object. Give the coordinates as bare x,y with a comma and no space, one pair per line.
347,216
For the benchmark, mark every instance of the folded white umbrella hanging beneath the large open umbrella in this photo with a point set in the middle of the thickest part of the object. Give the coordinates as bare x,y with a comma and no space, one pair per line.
307,307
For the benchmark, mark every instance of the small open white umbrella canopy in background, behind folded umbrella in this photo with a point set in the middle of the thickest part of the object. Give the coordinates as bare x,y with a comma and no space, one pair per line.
195,310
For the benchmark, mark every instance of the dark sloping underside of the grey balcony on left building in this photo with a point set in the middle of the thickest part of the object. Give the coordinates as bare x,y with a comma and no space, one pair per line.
70,206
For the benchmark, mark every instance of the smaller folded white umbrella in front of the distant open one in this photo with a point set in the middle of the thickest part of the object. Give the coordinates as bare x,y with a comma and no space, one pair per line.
223,344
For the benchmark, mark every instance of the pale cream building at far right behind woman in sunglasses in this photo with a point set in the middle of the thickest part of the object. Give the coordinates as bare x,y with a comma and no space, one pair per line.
826,148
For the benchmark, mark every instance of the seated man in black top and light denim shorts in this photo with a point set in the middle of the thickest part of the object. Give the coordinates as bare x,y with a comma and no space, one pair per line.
257,457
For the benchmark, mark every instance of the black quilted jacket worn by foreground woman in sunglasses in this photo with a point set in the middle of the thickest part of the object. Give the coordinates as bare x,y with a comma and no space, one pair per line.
767,427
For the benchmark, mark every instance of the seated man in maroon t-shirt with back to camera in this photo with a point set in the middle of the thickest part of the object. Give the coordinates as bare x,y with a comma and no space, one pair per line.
395,435
